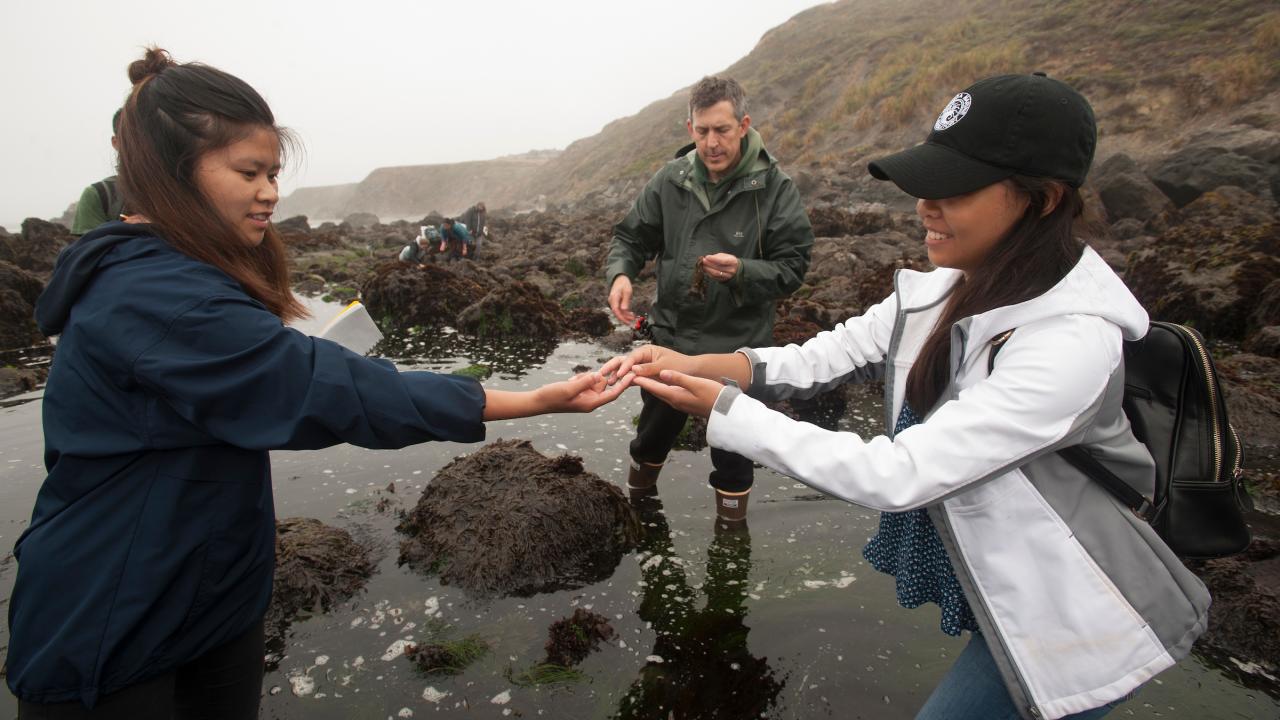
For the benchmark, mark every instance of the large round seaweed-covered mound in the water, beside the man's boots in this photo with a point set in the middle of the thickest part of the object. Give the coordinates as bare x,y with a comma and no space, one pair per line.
510,521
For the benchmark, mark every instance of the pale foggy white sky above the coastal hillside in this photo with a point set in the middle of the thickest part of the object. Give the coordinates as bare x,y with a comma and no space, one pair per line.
364,85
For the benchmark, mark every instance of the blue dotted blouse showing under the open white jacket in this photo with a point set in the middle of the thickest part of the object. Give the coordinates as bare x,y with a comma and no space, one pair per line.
908,548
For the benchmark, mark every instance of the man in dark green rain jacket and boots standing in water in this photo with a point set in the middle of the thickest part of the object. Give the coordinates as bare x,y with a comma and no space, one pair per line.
730,238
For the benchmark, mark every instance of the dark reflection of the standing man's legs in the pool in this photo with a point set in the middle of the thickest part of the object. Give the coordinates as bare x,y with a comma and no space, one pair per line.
706,668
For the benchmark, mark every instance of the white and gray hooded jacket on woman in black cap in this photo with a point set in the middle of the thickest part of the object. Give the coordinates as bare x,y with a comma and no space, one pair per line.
1078,599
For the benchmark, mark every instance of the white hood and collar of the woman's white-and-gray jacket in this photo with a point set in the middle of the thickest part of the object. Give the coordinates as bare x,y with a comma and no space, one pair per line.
1091,289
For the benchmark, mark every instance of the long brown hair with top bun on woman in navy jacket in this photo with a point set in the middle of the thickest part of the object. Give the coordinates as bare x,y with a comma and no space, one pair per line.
175,116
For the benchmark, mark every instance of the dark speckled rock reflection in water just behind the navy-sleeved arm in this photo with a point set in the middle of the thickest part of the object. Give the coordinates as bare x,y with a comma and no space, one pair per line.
442,349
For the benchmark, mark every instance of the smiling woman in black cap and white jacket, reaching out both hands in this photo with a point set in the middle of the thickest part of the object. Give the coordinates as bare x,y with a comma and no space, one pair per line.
1073,601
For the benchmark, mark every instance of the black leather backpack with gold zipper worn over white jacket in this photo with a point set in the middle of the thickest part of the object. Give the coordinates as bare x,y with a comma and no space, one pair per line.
1176,405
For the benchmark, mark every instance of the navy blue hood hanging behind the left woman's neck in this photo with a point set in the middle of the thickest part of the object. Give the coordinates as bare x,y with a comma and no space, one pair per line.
74,270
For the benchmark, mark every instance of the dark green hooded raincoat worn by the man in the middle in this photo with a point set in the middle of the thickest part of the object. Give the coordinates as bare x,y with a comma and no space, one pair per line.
756,213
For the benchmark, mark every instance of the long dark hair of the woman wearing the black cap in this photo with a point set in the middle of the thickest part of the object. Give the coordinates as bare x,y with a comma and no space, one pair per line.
1037,253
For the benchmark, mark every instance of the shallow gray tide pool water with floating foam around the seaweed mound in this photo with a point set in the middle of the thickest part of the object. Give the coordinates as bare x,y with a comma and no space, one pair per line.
778,619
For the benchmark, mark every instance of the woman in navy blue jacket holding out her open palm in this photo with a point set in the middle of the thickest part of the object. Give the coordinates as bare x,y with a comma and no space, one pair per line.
147,569
